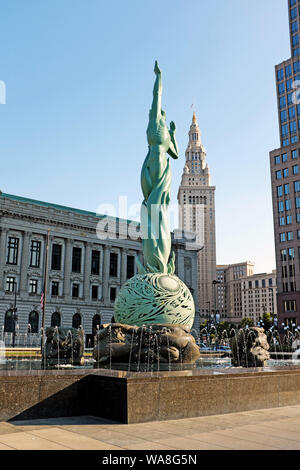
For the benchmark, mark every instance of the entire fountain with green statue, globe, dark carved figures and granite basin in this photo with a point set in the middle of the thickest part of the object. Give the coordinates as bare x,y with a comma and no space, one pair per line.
149,364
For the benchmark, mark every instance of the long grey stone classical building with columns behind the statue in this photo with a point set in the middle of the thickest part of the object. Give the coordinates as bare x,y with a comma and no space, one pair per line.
87,264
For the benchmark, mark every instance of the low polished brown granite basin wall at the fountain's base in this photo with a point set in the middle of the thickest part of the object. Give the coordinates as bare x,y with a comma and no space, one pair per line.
133,397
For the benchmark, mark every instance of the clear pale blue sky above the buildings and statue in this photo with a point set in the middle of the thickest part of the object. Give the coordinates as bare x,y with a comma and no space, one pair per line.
79,79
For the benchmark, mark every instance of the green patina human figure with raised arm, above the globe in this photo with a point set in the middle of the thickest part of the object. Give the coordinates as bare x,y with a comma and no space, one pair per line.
156,182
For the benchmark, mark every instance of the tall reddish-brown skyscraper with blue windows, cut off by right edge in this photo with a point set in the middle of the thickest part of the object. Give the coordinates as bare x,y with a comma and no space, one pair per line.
285,179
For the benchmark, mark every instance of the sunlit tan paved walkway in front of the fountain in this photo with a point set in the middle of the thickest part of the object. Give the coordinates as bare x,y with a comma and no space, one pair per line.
272,429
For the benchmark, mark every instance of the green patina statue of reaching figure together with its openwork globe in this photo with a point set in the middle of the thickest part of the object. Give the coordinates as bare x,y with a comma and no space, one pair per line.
156,295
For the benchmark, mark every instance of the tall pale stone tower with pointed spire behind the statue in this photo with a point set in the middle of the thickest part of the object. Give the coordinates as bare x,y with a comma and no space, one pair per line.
196,199
